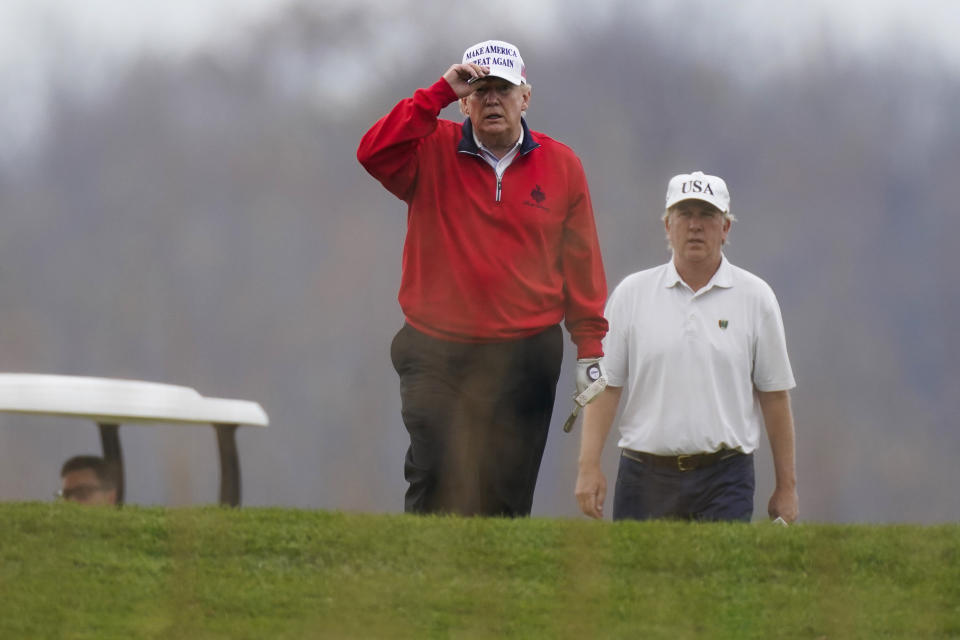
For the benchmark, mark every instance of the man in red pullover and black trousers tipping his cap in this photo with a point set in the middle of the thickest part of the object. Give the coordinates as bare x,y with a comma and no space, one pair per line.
501,246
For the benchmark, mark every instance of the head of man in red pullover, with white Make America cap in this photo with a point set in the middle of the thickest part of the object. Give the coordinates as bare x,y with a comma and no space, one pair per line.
496,106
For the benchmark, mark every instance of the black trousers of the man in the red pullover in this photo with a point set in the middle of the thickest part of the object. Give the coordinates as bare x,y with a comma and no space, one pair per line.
478,416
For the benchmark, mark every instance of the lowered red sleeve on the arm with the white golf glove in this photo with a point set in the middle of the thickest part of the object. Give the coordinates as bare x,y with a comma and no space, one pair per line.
584,277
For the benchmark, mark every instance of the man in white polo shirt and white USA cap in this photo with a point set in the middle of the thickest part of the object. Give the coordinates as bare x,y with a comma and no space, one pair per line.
696,350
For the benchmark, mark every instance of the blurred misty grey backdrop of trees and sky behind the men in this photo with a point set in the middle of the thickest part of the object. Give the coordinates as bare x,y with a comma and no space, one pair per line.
180,202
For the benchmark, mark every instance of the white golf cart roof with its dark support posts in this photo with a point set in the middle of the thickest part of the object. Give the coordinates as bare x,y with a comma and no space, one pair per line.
112,402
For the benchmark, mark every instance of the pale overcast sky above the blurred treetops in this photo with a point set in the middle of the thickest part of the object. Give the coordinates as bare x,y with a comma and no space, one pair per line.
41,40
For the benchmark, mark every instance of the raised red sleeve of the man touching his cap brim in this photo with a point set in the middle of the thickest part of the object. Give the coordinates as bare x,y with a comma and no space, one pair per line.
388,151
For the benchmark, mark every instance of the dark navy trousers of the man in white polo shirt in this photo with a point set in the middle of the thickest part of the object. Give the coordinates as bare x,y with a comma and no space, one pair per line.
722,491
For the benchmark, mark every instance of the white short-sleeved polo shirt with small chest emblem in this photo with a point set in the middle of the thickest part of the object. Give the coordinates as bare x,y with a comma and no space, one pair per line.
689,363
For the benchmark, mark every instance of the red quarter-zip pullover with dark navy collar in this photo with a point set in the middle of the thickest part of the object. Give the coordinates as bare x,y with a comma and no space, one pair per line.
483,261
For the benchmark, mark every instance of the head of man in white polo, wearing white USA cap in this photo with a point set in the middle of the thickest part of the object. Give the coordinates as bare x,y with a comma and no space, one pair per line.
697,217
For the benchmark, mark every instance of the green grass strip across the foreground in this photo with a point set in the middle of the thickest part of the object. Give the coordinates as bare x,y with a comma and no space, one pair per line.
73,572
